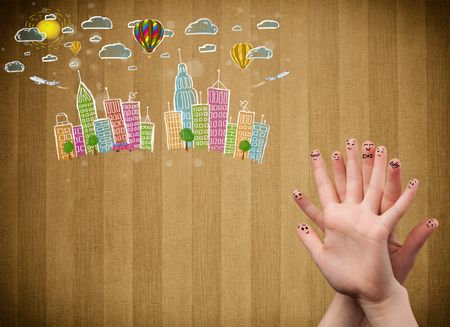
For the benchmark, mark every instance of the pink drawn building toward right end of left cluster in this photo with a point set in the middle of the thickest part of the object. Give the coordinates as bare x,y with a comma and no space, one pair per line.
132,116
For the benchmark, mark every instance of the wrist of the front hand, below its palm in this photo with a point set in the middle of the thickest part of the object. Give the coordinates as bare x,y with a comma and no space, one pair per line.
394,310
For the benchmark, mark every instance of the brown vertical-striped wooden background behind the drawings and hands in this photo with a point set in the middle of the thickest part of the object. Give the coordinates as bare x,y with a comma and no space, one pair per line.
176,239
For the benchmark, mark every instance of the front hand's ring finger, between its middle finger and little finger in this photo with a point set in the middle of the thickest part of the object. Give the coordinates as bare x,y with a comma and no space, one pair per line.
375,190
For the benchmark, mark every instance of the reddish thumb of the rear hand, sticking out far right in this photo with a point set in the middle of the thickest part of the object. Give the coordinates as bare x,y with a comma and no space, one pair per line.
417,238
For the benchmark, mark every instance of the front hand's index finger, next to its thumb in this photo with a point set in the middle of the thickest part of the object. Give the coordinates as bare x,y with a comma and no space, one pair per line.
327,193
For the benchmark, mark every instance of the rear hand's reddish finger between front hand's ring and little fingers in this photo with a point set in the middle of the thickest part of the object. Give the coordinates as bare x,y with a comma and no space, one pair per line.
393,187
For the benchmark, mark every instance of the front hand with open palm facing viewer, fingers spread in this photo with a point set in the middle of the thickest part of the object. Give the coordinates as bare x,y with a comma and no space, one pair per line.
354,256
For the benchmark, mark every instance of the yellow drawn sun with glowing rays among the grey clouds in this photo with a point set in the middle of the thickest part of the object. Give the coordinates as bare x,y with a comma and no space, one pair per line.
52,28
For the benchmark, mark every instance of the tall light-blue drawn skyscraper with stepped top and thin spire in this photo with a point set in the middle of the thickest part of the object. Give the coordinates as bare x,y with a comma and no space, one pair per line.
185,95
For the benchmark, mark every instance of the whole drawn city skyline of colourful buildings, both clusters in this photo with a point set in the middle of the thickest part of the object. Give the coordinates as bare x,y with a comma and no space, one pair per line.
123,129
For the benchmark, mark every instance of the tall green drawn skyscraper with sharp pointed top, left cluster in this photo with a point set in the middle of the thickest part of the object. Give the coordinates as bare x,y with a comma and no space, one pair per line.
87,113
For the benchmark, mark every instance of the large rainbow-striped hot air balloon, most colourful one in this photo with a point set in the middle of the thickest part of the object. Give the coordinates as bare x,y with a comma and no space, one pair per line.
149,33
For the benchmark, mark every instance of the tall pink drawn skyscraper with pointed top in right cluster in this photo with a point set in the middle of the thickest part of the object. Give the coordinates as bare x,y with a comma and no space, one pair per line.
218,100
